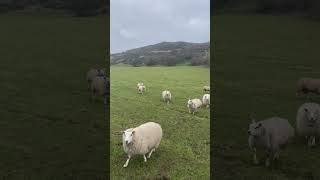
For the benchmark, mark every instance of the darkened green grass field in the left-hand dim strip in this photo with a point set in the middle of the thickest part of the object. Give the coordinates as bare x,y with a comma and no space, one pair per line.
49,126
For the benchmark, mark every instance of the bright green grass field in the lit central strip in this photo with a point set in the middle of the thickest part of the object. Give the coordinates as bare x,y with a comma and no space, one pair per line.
184,151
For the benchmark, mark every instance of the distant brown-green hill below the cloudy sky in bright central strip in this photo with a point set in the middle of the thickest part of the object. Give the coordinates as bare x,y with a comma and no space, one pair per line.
165,53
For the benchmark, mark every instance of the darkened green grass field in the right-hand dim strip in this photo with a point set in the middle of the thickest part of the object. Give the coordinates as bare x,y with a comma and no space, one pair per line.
258,61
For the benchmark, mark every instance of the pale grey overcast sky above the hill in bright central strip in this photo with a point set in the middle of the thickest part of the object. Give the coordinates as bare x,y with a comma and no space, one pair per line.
136,23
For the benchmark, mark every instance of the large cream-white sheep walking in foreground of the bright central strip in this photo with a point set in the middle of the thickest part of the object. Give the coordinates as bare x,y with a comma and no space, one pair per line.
141,140
